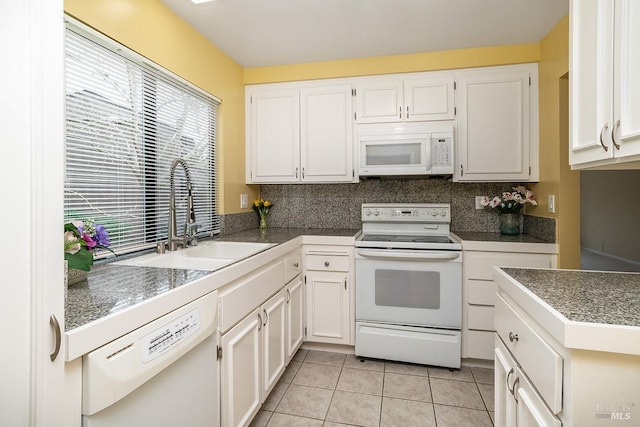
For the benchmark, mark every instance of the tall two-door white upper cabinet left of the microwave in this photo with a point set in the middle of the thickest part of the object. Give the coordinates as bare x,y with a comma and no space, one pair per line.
299,134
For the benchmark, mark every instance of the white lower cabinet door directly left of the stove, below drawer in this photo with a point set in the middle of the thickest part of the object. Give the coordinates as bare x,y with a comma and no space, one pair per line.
327,307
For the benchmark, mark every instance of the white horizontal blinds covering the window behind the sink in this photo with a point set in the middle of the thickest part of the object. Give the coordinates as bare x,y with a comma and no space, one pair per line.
126,121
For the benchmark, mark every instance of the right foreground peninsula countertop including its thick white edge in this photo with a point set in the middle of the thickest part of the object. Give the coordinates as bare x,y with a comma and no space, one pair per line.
588,310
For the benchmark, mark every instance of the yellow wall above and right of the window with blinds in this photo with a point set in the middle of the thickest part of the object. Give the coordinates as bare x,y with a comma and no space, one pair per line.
154,31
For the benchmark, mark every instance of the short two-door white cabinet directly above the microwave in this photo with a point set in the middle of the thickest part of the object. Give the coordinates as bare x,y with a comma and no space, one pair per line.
397,100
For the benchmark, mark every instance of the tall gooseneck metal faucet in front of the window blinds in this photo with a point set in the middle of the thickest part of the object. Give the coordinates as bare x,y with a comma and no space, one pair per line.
190,227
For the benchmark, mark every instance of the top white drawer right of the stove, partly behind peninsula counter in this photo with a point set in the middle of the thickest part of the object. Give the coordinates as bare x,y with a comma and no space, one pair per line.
480,265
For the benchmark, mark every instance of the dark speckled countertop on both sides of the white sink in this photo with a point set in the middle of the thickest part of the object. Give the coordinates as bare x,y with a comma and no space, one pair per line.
111,288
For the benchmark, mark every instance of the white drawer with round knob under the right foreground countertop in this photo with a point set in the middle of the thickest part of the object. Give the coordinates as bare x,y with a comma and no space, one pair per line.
542,364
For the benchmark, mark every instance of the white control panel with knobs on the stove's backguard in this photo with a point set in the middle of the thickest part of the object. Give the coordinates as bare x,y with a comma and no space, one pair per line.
413,212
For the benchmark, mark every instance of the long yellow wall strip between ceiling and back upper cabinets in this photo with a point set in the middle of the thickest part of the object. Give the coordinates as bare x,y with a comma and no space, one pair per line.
427,61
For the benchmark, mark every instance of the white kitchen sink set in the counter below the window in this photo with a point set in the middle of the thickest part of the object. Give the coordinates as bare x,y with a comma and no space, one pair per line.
210,255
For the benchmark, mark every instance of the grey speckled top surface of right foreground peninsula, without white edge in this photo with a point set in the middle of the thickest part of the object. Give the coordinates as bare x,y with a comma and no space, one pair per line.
586,296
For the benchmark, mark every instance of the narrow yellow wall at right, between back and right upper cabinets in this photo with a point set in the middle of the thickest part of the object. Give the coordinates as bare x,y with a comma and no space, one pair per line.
555,175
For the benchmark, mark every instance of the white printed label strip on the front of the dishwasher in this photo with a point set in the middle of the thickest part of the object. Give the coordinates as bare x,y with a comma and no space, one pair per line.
165,338
